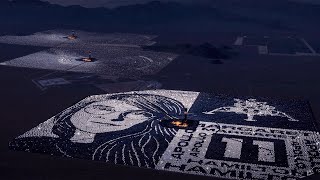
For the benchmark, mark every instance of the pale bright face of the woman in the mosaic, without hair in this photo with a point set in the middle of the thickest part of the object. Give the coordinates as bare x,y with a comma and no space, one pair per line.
107,116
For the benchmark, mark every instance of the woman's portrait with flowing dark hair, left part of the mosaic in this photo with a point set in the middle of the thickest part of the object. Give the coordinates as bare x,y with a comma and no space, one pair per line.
120,128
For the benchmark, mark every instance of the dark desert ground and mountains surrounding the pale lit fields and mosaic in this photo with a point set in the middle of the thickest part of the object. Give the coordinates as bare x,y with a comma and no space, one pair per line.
24,106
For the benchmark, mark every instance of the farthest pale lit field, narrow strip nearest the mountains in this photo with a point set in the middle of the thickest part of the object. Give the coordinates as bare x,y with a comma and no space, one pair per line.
53,38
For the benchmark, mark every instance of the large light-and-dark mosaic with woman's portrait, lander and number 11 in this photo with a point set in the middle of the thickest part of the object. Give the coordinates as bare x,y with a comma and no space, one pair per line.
235,137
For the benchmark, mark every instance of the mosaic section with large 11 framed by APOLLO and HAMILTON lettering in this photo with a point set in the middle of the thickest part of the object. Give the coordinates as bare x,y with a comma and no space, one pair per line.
209,151
